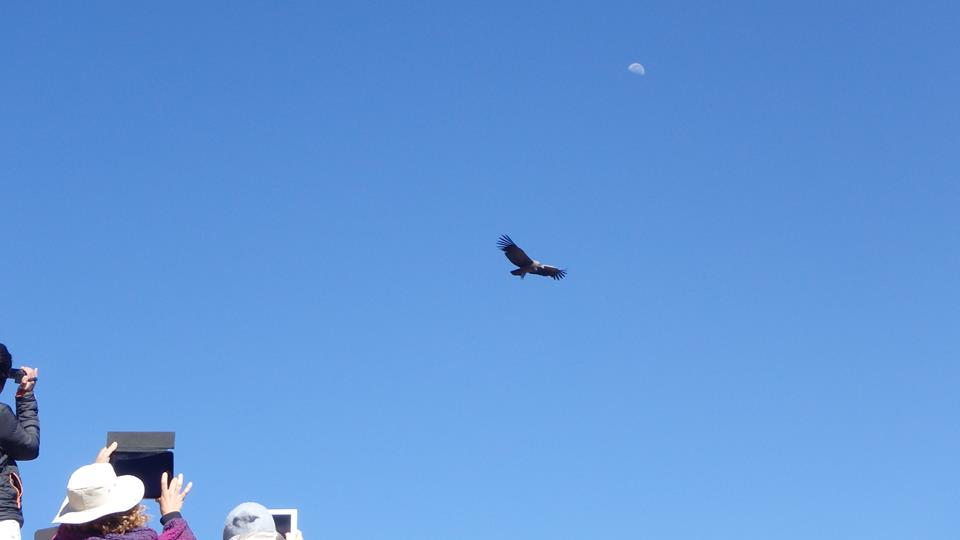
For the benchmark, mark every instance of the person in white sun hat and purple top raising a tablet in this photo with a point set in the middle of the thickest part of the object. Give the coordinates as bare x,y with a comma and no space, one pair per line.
101,505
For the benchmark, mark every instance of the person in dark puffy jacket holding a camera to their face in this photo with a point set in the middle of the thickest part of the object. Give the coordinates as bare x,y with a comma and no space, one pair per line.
19,441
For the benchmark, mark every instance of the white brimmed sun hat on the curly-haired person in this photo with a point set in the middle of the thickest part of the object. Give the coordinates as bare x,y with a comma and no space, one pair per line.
95,491
